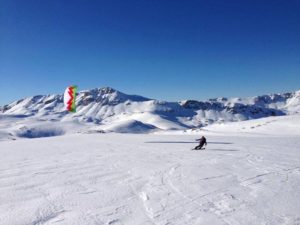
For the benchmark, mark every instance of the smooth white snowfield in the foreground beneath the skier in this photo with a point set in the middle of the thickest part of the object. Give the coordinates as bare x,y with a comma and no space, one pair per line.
248,174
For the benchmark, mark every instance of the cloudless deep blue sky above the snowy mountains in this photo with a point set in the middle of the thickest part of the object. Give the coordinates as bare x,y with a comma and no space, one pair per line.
164,49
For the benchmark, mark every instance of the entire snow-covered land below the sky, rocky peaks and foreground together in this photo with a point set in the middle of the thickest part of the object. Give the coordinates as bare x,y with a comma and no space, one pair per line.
248,174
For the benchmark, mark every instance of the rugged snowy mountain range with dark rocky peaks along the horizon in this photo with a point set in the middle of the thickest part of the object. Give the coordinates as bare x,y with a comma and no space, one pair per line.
112,110
